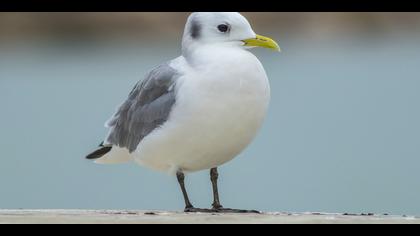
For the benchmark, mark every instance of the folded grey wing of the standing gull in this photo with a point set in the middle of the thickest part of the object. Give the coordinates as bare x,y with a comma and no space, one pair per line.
146,108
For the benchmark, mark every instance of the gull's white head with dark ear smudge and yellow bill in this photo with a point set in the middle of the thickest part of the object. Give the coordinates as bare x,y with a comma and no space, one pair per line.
224,29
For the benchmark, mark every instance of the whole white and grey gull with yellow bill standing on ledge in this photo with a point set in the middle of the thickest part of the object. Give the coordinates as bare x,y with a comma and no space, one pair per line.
197,111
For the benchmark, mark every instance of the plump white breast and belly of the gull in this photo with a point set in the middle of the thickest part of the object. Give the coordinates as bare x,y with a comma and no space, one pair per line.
219,109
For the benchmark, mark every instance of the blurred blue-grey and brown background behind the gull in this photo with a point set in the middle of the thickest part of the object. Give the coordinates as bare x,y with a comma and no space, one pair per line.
342,133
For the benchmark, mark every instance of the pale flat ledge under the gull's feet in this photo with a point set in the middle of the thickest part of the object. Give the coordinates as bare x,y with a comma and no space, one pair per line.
162,217
